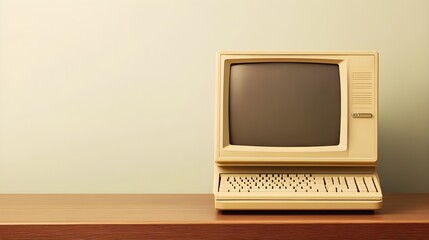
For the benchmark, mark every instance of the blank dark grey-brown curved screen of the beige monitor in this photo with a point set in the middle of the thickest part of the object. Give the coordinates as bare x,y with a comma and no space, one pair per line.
284,104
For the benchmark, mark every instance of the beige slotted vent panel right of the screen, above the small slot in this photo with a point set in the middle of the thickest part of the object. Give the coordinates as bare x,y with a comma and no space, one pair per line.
362,89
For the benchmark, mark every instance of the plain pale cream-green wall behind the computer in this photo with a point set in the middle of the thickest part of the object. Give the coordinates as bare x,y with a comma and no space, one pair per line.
100,96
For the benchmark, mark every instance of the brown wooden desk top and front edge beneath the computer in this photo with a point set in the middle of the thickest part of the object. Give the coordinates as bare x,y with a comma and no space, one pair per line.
404,216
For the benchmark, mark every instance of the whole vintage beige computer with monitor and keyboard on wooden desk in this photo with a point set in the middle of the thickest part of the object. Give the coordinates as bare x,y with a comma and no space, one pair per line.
296,131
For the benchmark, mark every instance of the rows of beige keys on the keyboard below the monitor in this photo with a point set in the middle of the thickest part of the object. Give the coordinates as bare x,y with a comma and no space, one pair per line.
298,183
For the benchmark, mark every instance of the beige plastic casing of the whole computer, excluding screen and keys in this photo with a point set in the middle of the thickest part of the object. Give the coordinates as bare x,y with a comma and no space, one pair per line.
356,152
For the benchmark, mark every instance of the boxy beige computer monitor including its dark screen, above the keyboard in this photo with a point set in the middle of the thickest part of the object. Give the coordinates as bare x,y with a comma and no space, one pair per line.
354,137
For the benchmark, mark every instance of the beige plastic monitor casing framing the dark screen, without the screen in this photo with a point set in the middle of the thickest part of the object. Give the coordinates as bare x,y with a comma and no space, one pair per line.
358,137
